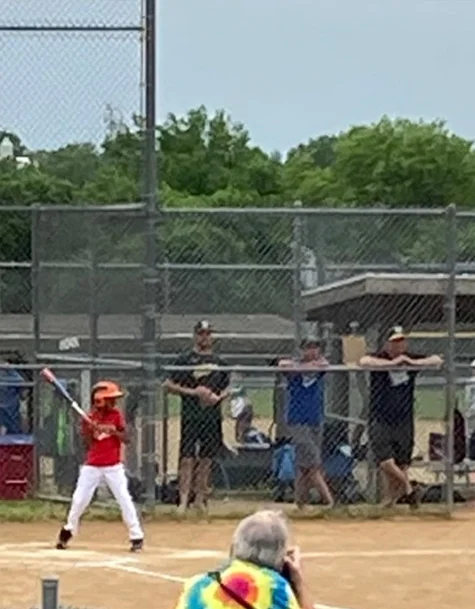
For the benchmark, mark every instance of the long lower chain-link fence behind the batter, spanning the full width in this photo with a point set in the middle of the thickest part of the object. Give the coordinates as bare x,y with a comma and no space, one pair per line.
72,295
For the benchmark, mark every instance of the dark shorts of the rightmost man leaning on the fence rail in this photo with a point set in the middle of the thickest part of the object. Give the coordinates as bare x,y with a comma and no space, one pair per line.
389,441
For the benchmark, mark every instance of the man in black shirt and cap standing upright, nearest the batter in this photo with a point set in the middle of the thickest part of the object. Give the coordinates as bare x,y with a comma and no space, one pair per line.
202,390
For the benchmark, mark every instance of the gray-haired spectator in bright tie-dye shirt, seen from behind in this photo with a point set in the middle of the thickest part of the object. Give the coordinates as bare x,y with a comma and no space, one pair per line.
263,571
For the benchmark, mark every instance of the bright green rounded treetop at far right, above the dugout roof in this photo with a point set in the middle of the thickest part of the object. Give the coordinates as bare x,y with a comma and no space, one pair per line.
404,164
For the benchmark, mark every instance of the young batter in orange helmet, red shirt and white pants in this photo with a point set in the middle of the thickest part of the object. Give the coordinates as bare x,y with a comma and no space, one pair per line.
104,438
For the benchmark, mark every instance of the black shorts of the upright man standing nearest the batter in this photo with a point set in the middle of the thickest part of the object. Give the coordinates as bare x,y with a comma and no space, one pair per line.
201,436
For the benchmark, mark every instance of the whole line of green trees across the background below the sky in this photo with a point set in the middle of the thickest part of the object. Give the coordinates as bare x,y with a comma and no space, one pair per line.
208,160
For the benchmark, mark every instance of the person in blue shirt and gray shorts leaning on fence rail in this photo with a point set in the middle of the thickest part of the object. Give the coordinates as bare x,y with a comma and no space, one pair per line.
305,418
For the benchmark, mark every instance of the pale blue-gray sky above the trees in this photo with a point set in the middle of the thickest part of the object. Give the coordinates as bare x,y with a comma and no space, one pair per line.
288,70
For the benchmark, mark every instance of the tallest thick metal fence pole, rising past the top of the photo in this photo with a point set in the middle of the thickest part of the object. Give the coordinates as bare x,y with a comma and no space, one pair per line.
150,275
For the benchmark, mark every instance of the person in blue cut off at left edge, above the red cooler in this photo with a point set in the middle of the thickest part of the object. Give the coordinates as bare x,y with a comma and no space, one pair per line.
11,389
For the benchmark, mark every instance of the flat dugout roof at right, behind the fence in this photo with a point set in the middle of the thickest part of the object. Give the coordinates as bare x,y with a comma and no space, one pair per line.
385,299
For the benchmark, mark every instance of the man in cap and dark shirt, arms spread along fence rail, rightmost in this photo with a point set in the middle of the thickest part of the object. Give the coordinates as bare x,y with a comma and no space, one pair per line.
391,412
